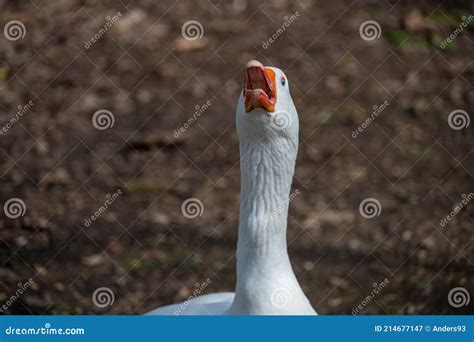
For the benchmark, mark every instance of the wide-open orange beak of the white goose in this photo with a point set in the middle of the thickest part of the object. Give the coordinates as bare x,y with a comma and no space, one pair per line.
259,87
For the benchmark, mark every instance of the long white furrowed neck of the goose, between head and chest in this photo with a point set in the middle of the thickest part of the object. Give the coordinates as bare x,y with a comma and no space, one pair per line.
266,176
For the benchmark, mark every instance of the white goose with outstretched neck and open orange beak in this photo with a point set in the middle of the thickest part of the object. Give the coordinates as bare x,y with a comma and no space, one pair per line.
267,126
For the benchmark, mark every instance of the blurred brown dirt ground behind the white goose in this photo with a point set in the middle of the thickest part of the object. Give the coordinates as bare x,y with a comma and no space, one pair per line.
151,79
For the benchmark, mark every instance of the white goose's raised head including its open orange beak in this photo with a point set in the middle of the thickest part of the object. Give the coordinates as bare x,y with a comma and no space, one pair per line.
265,111
